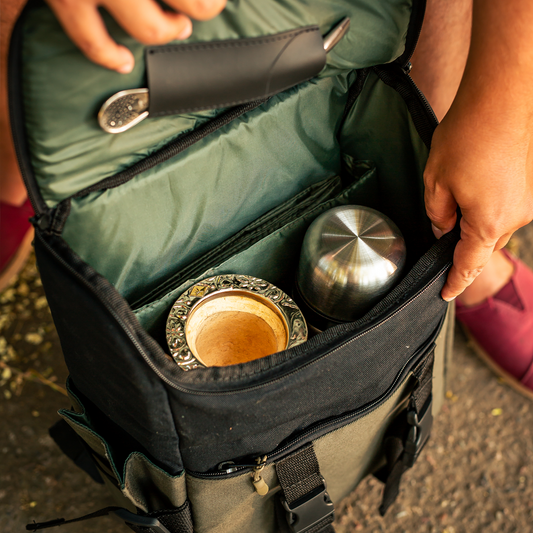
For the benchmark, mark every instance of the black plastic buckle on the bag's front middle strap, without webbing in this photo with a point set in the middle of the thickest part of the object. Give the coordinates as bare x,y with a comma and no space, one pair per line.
309,510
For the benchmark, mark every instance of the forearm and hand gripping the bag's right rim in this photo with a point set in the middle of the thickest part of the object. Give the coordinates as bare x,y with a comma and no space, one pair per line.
481,157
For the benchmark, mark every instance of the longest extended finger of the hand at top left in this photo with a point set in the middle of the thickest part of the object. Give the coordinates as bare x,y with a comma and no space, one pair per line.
84,25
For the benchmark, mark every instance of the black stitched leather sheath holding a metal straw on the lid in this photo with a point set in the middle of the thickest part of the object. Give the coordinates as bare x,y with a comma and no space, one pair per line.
189,77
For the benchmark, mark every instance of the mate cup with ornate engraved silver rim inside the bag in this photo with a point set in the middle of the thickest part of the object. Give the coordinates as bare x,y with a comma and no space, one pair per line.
230,319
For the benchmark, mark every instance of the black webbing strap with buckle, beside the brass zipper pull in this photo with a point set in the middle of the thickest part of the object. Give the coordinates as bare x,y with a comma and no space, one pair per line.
305,499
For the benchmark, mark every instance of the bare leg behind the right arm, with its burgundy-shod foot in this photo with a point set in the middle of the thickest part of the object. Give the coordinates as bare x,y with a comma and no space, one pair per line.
497,308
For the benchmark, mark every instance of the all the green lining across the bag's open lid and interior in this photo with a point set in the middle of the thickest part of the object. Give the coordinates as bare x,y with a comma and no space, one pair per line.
145,232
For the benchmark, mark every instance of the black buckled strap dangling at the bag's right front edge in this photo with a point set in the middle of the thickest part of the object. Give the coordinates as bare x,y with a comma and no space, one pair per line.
410,433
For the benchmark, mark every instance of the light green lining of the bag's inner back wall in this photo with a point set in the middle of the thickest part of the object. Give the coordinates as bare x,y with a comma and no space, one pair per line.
149,228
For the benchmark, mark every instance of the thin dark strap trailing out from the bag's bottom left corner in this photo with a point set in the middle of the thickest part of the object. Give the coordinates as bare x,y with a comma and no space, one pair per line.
167,521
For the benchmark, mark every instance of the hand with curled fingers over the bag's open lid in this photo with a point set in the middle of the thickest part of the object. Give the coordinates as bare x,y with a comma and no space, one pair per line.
144,20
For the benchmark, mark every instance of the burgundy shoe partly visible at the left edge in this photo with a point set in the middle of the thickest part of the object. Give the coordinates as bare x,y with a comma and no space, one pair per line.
16,234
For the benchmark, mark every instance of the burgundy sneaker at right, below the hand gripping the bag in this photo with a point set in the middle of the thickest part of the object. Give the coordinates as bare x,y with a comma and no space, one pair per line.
501,329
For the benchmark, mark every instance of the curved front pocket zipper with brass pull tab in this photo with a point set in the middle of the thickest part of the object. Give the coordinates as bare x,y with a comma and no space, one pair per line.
231,469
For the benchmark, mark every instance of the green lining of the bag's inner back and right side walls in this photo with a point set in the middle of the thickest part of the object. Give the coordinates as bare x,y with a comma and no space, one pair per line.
232,177
